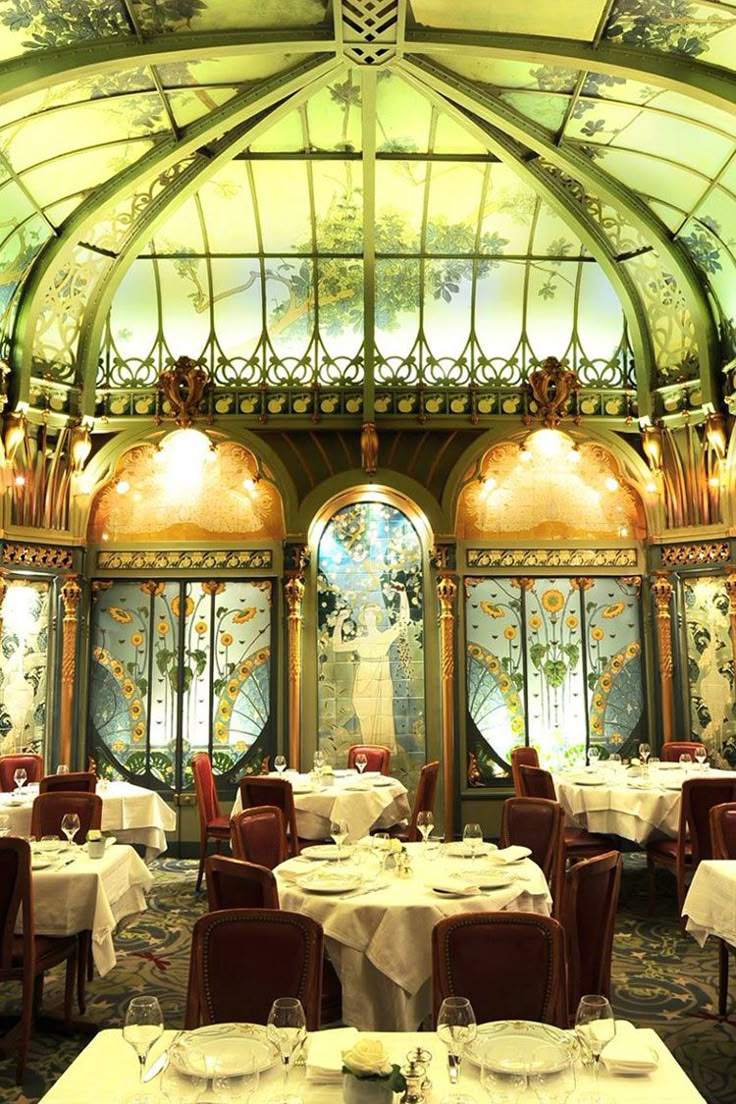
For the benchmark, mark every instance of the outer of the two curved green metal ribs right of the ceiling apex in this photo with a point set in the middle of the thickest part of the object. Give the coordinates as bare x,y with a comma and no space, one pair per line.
468,97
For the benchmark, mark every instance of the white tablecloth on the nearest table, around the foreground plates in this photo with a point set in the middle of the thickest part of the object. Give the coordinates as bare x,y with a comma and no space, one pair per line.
108,1070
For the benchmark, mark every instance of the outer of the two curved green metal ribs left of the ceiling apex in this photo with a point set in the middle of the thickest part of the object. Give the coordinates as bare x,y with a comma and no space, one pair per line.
163,157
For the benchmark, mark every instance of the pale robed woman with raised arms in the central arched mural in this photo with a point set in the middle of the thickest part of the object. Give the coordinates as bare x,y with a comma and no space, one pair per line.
374,688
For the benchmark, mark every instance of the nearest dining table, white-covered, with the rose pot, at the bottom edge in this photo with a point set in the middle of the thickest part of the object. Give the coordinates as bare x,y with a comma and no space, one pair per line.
108,1070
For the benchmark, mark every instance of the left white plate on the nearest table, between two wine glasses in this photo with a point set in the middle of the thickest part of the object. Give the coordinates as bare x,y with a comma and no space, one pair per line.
236,1048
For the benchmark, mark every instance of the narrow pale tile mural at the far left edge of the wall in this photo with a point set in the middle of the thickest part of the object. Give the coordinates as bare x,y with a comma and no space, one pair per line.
24,656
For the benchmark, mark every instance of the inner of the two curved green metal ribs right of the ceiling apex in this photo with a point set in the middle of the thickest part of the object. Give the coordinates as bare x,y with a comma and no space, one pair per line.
573,214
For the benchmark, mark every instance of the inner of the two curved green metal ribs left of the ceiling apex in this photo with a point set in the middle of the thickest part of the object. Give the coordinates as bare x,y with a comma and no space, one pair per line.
186,186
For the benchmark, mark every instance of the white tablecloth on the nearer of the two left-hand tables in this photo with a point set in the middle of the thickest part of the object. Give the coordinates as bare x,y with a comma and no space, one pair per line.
92,895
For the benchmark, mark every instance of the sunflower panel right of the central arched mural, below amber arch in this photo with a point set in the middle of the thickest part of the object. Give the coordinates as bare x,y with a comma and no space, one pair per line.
554,663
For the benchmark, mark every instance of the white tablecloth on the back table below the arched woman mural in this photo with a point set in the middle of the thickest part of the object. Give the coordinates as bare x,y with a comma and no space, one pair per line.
360,802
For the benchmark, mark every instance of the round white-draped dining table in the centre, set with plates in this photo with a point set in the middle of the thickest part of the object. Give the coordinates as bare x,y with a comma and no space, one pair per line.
378,932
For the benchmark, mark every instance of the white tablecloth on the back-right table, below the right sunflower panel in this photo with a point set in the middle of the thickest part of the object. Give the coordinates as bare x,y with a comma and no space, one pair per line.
633,808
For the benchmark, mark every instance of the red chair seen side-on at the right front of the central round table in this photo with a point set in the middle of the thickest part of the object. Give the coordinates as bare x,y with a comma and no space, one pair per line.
589,917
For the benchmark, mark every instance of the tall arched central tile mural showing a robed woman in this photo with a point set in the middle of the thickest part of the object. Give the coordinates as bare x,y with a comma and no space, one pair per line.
370,636
